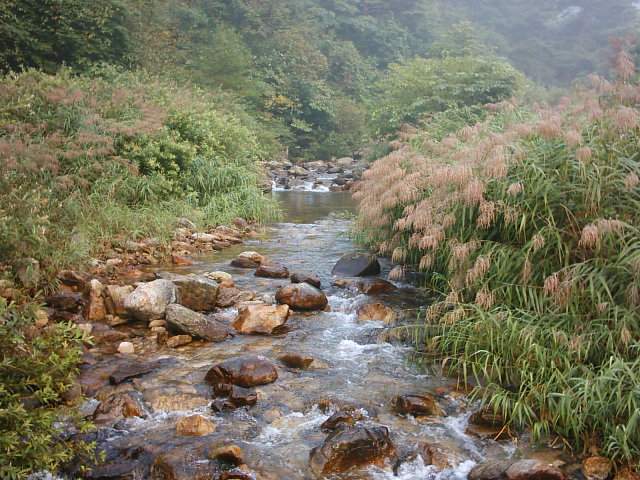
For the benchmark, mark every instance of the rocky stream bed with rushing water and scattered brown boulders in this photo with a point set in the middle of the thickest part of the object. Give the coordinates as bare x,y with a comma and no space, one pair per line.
271,359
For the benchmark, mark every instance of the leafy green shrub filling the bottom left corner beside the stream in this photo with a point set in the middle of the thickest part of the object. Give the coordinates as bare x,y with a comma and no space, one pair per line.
35,372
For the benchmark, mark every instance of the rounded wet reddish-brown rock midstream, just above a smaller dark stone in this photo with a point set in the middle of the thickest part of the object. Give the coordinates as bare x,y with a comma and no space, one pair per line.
246,371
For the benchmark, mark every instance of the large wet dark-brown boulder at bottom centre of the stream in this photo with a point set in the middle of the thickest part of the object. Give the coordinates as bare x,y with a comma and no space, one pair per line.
352,447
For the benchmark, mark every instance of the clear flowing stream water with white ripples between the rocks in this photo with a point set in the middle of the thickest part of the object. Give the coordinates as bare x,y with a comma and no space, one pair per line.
351,365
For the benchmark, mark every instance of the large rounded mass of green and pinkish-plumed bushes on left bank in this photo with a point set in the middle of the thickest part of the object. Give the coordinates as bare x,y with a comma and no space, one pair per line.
93,159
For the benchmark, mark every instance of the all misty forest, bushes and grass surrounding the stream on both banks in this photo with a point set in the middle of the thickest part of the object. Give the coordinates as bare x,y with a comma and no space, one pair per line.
122,120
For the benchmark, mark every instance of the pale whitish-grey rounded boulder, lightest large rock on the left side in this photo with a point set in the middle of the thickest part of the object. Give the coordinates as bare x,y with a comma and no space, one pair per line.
149,301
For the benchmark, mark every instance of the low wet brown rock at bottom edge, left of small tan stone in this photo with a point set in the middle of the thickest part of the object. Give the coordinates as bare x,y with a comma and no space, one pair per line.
180,464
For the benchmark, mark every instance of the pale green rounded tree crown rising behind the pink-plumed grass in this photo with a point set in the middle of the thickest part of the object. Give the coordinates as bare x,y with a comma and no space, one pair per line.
422,86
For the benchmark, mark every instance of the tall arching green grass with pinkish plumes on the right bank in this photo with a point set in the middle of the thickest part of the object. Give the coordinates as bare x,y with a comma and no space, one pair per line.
528,224
